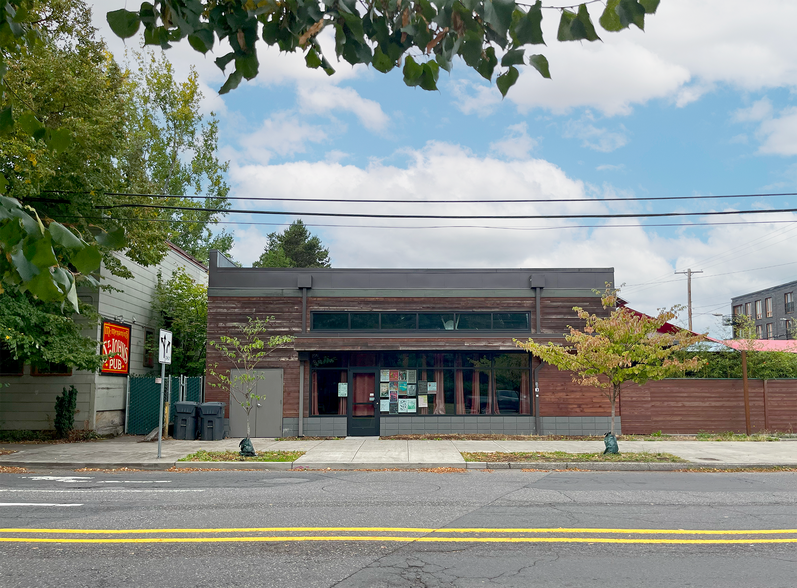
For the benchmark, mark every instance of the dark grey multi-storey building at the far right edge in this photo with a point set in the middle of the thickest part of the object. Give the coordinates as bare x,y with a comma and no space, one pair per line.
772,310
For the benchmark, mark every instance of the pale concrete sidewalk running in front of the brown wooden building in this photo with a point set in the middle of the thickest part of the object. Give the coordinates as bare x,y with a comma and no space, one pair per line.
375,453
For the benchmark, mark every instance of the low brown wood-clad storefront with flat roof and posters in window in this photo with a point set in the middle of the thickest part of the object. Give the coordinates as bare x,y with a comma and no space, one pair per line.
395,351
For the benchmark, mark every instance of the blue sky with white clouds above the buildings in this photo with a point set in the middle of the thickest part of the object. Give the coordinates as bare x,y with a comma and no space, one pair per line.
699,104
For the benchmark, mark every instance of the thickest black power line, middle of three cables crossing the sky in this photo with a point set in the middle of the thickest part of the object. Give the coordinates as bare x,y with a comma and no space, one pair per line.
442,217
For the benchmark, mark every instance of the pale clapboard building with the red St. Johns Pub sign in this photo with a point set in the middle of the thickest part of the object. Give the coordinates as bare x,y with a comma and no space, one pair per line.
127,324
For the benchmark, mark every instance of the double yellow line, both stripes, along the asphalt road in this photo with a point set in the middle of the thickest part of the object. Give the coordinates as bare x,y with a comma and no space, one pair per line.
403,534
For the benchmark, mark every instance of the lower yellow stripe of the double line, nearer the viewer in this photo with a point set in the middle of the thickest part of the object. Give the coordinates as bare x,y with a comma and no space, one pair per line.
261,539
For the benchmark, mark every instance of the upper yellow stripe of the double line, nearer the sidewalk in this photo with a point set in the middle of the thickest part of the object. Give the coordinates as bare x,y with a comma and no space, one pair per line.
409,530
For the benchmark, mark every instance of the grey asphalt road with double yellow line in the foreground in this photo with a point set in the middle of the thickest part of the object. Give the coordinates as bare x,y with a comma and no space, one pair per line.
372,529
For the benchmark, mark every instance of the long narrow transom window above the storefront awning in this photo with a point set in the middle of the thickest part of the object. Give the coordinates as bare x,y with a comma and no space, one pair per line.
420,321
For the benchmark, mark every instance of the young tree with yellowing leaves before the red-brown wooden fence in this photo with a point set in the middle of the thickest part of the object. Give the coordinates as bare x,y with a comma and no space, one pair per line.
623,347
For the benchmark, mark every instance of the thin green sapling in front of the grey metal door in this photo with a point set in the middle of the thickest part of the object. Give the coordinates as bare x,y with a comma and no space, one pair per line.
245,354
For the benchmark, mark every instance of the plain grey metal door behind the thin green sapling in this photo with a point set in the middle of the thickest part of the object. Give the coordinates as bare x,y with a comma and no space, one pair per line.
265,418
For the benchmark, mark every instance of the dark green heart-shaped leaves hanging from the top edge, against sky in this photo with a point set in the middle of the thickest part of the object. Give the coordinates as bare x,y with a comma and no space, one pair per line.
426,35
